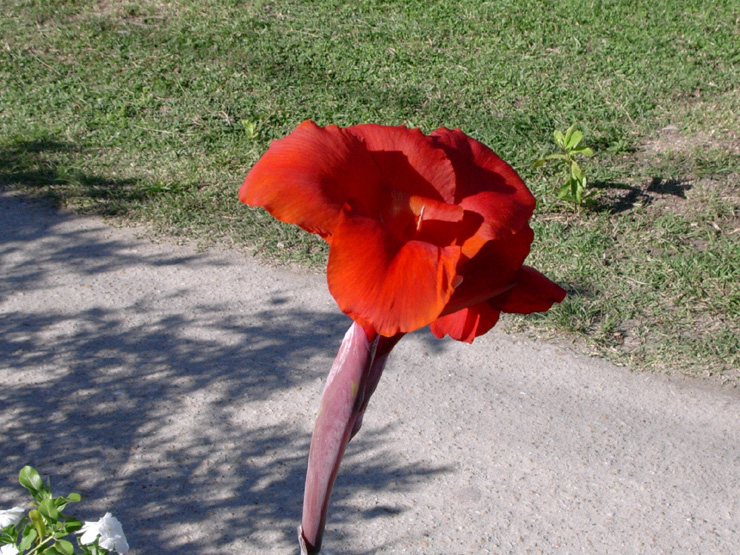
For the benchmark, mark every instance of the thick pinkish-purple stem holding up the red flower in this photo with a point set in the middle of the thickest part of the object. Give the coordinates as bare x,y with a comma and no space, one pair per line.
352,380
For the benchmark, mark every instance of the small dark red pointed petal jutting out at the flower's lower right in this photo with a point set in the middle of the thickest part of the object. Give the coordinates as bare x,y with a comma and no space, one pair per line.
533,293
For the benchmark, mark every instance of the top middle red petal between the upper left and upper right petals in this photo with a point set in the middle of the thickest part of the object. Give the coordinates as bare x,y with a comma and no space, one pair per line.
408,160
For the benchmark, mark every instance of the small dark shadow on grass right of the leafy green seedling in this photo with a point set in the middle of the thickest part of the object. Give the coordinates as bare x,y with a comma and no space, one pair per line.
620,197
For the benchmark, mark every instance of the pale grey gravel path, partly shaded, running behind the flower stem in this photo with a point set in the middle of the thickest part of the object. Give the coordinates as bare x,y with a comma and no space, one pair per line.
177,389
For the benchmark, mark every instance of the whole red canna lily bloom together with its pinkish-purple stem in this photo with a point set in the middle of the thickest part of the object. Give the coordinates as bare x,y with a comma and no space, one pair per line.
423,230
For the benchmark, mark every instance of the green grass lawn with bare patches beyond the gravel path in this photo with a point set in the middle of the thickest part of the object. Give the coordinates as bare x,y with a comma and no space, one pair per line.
154,111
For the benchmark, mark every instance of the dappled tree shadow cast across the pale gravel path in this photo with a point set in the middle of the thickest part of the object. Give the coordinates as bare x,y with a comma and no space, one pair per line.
187,424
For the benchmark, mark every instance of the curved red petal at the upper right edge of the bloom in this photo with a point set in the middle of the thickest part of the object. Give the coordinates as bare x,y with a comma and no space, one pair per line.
487,186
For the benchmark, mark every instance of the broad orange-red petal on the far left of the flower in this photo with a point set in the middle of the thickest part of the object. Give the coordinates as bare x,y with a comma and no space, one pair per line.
306,177
